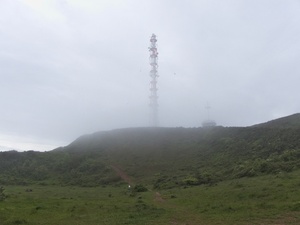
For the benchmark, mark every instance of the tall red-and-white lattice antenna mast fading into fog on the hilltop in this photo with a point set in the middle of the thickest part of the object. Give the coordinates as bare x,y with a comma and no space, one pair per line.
153,82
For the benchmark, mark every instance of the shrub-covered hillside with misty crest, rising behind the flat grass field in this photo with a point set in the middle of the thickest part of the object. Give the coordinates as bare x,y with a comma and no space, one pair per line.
162,157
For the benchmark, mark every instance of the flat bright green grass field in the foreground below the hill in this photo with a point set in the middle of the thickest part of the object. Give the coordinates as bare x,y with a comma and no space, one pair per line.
272,199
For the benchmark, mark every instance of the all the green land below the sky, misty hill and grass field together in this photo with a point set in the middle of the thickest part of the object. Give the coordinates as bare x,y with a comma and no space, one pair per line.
197,176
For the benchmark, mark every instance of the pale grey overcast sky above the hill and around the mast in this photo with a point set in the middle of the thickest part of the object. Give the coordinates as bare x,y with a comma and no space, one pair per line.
71,67
